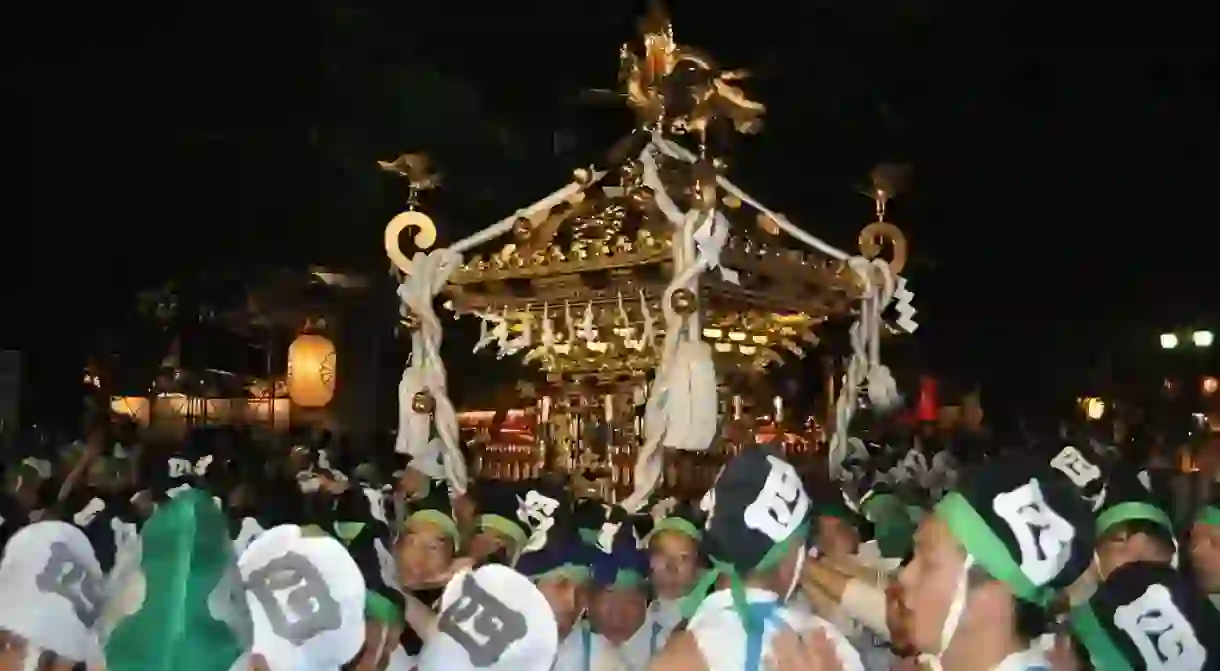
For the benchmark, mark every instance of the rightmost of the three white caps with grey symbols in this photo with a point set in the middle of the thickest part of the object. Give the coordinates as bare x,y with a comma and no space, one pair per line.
492,619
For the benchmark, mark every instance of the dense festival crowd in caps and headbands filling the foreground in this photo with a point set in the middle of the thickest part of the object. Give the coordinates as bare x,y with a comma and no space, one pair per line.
212,554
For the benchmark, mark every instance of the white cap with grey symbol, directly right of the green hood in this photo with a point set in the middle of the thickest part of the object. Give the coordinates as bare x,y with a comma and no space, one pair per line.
307,598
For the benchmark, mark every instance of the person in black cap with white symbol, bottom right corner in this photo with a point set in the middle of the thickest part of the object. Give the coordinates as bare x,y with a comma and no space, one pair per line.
1147,617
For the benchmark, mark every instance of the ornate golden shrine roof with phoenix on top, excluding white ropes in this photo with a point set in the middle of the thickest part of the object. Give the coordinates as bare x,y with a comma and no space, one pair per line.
607,248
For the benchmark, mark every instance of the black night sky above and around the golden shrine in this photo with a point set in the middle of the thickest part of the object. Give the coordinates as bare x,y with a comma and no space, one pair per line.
1066,154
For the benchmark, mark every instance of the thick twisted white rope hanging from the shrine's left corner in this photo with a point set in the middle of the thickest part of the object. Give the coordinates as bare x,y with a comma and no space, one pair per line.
437,457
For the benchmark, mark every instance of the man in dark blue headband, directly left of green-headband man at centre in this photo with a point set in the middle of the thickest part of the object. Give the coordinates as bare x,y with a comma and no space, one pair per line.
619,596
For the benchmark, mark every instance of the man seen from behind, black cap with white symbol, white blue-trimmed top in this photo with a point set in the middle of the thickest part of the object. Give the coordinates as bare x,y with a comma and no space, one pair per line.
756,537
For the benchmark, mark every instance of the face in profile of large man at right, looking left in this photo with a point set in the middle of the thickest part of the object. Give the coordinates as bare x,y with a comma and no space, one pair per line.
930,583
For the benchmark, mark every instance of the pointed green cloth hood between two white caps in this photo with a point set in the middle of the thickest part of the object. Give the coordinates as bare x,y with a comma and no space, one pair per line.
176,596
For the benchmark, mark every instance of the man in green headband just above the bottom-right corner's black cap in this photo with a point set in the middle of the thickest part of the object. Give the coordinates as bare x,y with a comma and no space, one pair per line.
1133,526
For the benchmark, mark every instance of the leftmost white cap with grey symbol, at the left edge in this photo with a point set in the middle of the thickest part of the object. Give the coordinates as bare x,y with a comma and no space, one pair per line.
52,587
